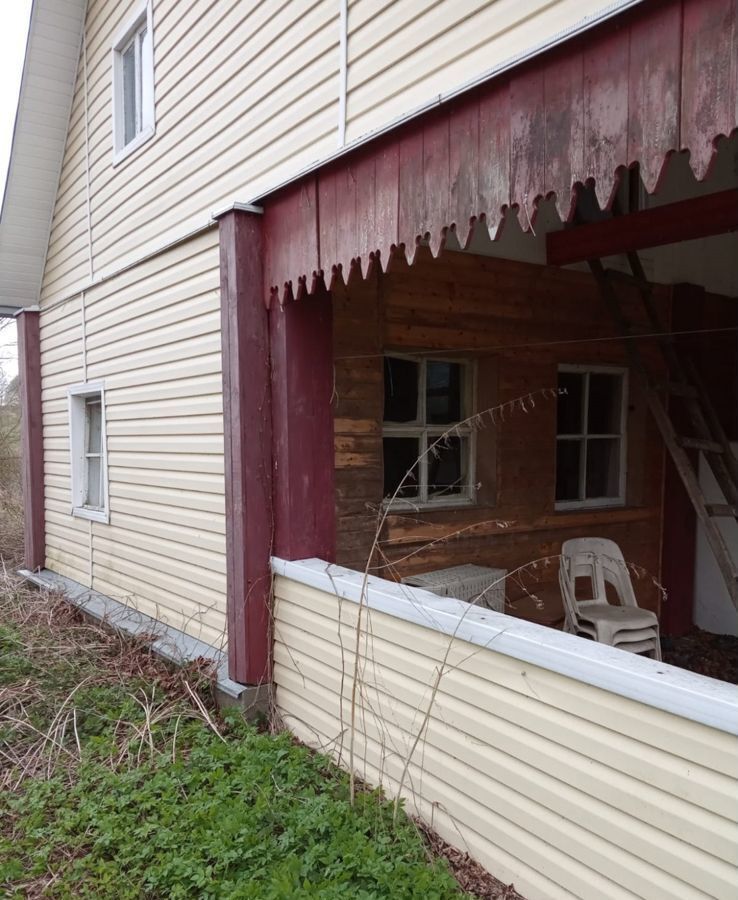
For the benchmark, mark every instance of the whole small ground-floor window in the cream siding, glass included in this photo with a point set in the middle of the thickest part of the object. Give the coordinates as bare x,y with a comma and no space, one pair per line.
88,452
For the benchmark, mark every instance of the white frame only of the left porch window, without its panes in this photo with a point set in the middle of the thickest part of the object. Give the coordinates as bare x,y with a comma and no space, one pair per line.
427,433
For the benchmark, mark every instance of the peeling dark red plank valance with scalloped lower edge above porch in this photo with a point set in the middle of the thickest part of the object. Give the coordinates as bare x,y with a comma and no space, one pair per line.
658,78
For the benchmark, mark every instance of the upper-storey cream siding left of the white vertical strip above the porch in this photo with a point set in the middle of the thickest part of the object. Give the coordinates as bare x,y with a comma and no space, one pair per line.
246,94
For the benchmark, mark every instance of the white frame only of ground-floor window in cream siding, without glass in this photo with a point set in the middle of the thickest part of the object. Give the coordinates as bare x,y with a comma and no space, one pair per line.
77,396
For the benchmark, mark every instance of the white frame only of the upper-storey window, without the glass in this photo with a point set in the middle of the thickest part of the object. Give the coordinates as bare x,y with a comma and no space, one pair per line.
137,33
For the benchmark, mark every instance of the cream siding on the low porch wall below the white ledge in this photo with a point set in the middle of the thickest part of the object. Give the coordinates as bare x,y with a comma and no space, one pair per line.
561,787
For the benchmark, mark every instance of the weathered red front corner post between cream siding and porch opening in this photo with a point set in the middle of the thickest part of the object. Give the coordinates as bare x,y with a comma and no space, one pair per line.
248,447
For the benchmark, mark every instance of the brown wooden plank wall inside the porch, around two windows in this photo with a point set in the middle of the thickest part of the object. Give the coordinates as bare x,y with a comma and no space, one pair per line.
519,322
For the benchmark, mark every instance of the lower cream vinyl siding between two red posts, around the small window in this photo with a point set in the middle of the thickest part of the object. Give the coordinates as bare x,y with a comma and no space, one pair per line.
153,337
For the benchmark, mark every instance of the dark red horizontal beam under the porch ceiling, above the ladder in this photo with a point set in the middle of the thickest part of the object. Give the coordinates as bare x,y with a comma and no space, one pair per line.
669,224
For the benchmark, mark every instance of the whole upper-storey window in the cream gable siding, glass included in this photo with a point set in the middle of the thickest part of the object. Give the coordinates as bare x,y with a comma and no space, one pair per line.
133,85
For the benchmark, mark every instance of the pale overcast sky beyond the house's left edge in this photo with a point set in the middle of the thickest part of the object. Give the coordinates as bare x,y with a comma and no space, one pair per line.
16,14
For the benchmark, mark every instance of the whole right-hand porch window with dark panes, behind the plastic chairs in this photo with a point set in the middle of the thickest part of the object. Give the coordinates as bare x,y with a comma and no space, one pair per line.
590,437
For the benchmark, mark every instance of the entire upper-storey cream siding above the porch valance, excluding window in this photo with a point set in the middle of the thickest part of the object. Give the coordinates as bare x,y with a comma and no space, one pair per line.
247,96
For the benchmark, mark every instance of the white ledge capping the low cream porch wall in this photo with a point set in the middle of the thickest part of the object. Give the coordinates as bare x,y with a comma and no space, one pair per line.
657,684
